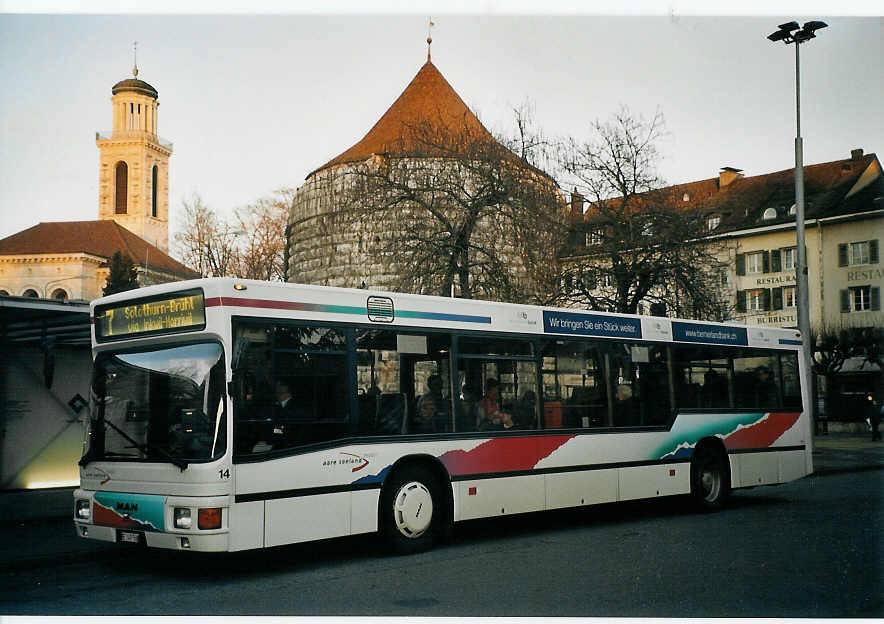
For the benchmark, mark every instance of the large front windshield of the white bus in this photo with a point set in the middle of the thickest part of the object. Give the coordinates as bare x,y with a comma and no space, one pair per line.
160,404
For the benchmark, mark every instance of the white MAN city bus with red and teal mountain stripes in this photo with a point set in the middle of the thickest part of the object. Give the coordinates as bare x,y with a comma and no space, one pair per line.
229,414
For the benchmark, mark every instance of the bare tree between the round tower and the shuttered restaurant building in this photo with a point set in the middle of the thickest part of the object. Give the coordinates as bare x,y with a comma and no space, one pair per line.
636,243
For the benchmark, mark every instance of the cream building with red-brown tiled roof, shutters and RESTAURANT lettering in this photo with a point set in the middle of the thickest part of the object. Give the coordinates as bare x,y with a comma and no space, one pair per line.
752,220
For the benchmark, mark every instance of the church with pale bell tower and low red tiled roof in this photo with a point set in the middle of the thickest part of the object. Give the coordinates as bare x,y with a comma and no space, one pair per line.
69,260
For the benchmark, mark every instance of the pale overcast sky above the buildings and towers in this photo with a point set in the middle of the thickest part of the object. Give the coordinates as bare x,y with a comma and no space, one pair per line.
256,102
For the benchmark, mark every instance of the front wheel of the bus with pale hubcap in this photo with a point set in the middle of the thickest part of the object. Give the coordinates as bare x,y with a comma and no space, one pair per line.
412,510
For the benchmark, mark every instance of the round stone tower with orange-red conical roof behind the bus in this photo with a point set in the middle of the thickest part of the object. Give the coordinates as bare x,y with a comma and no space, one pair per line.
328,248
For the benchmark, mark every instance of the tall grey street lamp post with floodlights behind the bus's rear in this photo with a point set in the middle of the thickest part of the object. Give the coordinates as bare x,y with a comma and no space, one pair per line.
788,33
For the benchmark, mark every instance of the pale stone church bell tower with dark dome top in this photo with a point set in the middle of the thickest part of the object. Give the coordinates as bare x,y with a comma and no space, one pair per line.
133,175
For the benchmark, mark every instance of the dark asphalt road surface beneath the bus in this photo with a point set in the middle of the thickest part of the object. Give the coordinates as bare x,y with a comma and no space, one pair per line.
812,548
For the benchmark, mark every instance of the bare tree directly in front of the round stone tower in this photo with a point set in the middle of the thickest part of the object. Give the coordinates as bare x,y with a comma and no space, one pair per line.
457,212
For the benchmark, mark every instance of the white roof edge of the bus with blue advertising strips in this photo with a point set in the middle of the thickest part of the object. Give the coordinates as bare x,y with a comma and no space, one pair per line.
242,297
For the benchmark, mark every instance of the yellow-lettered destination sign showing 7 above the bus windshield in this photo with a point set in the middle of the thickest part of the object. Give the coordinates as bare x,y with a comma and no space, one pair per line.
178,312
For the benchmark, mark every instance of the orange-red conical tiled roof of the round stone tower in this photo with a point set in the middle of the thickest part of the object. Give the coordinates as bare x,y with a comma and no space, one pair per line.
427,99
